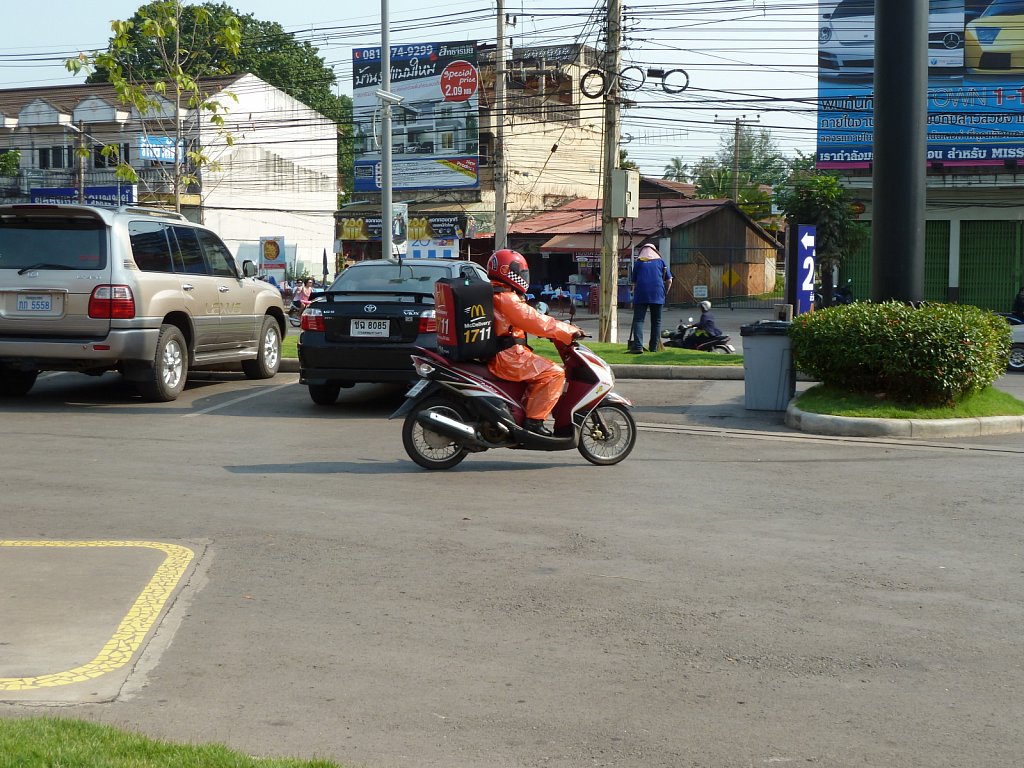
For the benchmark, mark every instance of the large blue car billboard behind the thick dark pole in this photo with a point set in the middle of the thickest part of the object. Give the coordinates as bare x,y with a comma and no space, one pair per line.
975,82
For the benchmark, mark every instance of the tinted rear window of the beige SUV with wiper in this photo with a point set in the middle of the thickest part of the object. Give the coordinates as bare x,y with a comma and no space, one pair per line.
52,243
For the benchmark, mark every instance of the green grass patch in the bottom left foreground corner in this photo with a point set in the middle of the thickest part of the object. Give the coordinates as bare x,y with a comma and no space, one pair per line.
60,743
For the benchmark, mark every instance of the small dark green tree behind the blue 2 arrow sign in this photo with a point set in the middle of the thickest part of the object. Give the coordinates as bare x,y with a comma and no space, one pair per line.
819,199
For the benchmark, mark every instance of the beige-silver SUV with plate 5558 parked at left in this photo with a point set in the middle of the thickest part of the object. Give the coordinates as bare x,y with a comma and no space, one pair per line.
136,290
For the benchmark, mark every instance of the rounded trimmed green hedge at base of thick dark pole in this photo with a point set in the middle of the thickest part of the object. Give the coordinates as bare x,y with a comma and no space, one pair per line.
932,355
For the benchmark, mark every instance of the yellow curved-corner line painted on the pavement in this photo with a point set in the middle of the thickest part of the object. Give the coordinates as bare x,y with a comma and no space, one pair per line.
134,628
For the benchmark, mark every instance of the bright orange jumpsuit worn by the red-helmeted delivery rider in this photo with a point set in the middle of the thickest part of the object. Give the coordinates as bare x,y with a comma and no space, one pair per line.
514,317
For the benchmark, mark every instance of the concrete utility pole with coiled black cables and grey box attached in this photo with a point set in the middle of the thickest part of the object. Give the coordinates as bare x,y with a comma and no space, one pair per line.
609,322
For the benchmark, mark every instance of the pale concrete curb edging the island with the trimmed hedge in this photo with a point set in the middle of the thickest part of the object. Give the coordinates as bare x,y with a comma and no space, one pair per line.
913,429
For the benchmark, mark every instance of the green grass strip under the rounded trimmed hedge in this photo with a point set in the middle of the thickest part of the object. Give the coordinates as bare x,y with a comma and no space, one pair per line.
833,402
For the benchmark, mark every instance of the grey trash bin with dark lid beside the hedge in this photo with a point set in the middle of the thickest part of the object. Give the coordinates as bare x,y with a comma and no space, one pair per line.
770,379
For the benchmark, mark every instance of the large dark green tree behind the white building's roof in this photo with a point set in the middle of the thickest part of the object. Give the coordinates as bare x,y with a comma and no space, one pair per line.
265,50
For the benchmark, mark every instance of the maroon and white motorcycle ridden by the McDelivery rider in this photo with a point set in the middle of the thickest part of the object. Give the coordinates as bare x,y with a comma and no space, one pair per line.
457,409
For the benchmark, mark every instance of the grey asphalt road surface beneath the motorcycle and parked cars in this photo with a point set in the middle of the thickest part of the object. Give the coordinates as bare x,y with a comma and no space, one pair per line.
734,594
